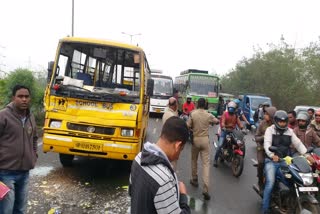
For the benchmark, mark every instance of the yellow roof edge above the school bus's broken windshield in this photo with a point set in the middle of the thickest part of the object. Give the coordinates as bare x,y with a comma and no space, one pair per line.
100,42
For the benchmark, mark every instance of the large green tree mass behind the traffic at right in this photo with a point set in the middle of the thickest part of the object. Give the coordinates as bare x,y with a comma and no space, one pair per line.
289,76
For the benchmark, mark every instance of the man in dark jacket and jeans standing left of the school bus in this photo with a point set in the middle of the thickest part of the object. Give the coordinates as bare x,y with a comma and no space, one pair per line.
18,150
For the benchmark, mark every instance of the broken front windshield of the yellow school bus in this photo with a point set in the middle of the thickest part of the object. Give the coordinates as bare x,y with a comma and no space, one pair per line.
97,72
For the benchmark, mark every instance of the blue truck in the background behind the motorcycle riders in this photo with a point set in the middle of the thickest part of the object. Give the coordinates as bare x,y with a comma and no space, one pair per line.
250,103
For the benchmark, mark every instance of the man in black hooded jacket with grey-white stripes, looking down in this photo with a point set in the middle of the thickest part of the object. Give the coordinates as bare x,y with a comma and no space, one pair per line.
154,187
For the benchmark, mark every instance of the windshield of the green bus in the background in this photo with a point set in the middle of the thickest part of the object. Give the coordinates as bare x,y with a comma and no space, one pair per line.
202,85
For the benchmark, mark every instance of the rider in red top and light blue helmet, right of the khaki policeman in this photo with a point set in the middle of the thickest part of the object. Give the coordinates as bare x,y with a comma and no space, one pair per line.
229,121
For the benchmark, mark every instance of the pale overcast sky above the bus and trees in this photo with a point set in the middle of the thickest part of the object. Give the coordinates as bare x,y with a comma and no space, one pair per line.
175,34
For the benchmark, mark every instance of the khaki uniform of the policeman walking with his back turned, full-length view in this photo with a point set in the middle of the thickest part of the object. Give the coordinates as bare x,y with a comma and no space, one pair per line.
199,121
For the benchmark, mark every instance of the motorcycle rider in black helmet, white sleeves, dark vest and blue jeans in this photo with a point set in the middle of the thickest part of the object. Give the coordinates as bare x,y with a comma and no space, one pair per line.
281,136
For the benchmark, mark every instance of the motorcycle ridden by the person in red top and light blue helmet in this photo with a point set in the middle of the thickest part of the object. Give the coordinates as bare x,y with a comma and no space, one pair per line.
233,151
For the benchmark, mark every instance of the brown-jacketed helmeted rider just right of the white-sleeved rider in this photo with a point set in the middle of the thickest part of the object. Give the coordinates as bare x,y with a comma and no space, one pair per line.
306,134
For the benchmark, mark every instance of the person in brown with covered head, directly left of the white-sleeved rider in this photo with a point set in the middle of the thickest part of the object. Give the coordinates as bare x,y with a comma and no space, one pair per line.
259,138
